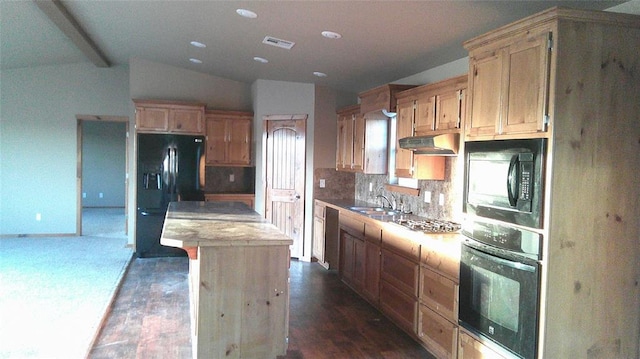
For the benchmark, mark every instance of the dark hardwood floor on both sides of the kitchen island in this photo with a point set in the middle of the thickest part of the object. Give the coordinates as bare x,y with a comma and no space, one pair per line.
150,317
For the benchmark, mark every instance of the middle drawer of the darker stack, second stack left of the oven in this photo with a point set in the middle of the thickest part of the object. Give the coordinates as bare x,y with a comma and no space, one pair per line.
401,272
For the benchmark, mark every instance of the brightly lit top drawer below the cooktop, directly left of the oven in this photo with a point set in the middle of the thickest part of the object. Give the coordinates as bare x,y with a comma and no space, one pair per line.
442,257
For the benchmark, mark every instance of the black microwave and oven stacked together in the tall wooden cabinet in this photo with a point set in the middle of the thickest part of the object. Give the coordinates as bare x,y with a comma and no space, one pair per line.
502,246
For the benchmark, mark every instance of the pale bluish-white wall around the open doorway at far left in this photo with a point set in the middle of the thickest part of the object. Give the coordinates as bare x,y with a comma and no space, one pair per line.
38,142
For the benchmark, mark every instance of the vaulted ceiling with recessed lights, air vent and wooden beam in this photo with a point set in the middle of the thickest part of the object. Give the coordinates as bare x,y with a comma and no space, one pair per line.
382,41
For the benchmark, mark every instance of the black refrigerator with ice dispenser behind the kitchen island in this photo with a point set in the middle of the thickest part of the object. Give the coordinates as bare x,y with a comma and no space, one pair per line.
170,168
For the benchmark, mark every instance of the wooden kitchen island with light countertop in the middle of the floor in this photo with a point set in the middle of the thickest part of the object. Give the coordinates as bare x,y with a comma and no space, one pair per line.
238,278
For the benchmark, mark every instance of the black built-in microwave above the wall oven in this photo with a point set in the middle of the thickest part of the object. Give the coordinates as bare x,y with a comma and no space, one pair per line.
504,180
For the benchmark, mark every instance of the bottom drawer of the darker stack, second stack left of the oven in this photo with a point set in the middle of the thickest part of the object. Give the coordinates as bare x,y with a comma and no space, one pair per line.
400,307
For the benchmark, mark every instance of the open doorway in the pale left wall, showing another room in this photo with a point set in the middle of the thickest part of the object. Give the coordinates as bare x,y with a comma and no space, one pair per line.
102,183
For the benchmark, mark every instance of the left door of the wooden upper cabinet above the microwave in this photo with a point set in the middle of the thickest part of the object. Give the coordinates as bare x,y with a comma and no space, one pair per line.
485,83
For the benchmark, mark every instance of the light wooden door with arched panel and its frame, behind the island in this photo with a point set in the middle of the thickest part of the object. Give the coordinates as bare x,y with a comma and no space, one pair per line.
285,181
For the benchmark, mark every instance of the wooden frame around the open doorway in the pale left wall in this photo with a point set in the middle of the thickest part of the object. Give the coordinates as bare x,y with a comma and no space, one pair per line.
79,120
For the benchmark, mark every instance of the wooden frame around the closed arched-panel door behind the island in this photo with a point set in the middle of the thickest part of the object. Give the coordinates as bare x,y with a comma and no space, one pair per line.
298,117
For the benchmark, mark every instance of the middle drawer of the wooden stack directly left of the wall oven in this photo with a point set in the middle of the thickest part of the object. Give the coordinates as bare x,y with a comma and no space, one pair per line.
439,293
